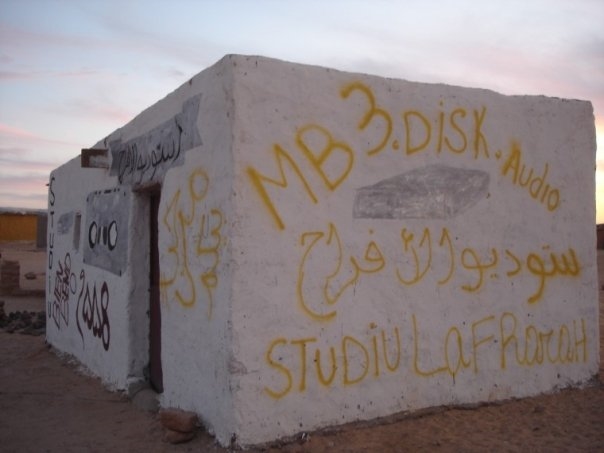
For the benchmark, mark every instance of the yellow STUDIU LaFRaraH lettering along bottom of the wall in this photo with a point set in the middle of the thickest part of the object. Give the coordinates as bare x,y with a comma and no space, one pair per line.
456,350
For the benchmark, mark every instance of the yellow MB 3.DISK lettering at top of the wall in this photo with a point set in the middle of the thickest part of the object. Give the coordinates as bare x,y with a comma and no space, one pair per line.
319,152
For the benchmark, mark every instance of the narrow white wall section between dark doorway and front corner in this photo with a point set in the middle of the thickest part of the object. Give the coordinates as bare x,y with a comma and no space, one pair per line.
196,214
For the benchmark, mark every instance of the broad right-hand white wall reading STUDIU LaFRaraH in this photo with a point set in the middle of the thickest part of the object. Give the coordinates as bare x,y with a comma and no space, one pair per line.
403,245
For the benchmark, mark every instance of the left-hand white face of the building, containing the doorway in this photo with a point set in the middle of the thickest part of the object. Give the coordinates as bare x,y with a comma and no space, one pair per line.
98,289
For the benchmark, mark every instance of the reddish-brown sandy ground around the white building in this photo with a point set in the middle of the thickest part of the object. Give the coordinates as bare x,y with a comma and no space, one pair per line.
49,404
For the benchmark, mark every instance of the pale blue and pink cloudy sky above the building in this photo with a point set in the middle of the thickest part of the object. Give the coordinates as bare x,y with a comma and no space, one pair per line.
73,71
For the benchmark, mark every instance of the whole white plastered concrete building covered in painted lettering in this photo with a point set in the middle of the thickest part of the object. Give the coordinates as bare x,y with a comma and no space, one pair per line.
281,247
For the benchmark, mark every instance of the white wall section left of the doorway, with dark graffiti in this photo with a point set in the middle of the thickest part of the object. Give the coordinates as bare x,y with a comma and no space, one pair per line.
86,304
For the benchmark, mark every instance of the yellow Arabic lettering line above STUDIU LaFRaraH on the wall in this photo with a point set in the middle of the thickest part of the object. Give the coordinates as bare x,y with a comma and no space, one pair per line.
327,270
